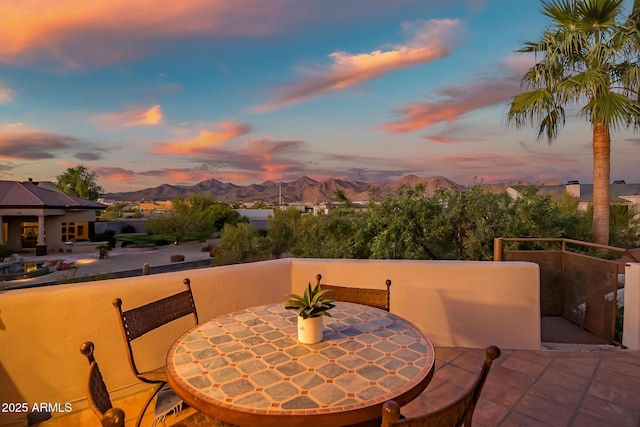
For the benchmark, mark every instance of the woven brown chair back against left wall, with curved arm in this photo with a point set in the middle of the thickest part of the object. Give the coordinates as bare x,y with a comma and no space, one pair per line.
138,321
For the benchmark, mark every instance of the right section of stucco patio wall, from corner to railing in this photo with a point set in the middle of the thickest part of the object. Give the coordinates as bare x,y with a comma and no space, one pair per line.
458,304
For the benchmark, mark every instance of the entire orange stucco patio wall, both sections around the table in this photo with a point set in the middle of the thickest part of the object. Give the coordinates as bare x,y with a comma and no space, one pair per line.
467,304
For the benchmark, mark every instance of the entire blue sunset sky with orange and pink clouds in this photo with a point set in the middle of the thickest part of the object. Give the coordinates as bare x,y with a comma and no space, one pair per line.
147,92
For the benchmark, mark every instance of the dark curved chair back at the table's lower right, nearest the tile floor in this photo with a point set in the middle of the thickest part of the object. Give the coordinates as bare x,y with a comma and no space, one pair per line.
456,414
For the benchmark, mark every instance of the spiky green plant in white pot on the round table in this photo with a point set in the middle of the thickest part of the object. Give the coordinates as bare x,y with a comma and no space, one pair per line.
311,307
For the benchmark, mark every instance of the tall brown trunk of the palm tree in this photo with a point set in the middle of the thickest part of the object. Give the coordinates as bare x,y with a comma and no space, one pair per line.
601,190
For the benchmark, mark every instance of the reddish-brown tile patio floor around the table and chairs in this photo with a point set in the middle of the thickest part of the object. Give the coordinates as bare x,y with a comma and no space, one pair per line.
533,388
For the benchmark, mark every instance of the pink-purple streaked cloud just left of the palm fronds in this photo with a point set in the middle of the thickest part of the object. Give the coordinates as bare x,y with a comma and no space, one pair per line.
455,101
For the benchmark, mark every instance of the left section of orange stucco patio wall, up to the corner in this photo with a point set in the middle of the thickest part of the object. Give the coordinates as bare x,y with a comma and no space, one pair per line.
41,329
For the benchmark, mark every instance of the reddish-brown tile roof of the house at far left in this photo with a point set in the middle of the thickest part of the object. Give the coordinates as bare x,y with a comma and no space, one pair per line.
30,195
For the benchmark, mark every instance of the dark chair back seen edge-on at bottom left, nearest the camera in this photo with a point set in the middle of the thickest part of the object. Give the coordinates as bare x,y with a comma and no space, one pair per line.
97,393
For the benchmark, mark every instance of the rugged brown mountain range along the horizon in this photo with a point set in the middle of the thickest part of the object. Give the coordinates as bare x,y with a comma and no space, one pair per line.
302,190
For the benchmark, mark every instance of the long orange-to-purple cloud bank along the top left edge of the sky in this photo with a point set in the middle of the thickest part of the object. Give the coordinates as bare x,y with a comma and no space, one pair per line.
79,33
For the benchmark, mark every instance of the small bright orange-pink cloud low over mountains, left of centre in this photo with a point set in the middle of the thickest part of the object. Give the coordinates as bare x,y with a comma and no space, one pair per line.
221,132
